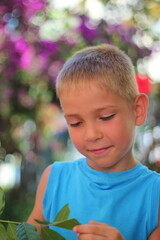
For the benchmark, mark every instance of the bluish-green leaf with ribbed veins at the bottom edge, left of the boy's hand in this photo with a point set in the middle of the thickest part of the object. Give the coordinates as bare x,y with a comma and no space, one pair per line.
26,231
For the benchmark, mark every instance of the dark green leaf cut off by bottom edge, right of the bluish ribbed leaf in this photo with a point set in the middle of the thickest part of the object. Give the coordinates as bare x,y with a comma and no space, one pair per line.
48,234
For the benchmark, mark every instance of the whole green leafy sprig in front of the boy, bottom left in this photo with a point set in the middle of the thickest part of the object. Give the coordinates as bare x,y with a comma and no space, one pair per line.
26,231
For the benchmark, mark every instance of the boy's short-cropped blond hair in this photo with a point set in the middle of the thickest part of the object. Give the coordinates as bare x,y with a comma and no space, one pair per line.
105,65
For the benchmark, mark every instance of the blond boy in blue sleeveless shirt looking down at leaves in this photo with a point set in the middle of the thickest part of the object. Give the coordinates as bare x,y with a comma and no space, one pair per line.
108,191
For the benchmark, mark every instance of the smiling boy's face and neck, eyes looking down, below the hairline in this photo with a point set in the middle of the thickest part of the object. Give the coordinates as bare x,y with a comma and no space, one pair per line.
102,127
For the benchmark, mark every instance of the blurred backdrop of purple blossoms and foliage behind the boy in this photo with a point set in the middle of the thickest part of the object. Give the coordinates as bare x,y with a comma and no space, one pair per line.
36,37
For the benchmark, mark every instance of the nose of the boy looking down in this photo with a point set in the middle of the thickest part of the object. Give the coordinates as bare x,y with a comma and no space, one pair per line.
93,133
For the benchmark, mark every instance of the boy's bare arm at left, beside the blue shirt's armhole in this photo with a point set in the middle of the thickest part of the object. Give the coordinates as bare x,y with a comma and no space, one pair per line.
37,209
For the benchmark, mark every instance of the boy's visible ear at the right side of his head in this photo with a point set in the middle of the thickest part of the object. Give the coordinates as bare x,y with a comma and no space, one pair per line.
140,107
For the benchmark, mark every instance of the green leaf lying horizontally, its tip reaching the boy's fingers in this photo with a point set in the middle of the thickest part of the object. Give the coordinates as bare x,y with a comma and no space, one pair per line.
67,224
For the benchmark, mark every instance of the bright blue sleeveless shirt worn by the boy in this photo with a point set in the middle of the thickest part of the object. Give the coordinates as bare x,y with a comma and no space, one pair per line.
128,200
